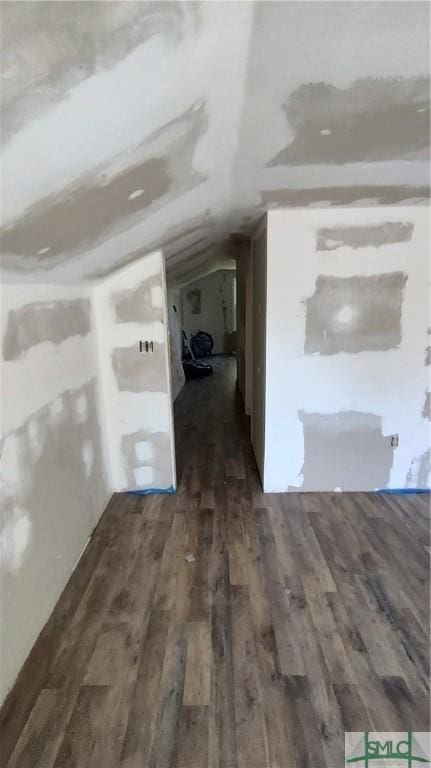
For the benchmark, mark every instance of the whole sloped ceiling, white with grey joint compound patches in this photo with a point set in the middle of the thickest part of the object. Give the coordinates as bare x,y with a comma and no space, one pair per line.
133,126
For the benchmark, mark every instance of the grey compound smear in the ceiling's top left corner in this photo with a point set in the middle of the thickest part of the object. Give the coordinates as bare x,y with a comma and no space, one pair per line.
49,48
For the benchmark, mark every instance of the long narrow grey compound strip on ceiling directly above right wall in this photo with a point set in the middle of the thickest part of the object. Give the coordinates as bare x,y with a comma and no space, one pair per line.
334,196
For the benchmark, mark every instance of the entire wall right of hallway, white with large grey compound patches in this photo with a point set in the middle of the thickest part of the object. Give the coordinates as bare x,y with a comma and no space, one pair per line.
346,335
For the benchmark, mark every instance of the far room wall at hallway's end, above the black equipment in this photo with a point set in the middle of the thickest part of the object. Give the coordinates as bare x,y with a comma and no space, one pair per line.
209,304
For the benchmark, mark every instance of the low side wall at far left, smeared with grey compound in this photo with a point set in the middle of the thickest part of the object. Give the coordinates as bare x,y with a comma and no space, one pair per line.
54,477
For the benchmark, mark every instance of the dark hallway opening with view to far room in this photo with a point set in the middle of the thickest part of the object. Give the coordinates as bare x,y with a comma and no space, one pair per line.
203,339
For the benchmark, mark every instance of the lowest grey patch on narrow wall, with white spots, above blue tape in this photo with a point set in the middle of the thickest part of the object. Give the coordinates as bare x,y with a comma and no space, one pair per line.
149,468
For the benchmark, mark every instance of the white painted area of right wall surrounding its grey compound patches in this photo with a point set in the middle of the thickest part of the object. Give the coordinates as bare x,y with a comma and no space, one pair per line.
390,383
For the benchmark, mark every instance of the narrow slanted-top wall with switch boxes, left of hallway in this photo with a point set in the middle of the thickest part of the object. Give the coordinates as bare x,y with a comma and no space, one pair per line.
131,309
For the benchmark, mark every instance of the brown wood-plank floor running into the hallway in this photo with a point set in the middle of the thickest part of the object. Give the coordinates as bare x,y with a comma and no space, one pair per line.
301,616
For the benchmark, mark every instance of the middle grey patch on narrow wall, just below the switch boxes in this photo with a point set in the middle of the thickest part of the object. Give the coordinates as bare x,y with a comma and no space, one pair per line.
140,372
